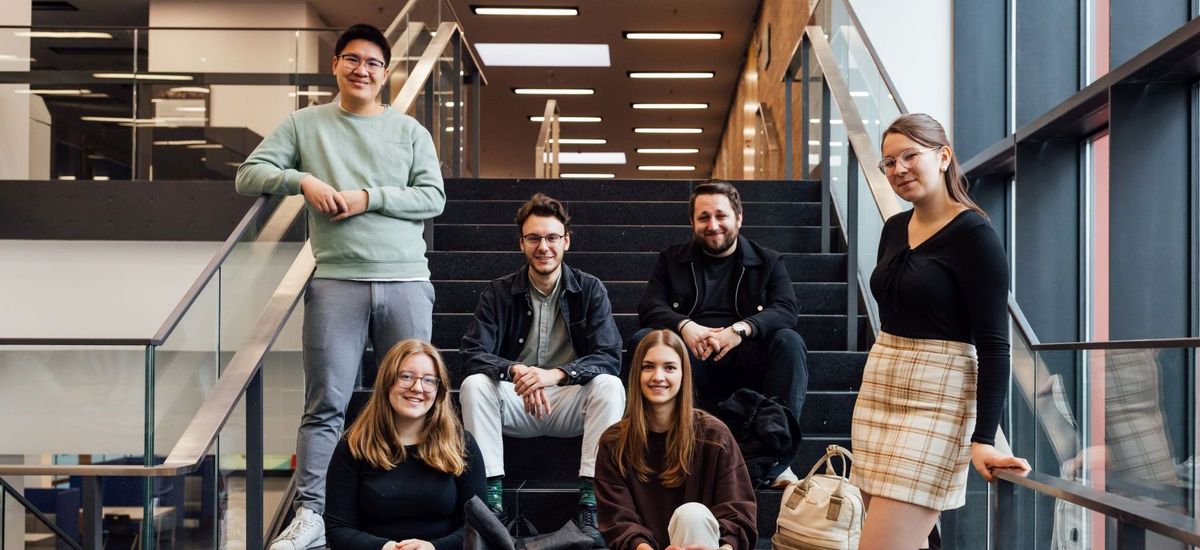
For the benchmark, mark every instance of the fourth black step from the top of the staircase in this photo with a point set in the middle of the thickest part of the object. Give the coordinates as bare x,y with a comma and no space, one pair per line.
620,266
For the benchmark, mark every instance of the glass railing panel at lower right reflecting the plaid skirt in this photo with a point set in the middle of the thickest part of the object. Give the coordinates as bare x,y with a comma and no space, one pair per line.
1120,421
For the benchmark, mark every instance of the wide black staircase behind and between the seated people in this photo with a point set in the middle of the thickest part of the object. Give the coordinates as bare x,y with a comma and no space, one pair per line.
620,228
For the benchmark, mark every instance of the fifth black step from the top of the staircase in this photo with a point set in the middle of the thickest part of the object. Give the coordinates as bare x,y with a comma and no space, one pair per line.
461,297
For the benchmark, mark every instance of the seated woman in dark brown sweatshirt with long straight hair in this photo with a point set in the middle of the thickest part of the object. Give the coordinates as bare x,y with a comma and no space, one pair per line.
669,476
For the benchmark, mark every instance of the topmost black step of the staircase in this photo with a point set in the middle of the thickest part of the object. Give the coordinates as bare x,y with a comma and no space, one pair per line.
622,190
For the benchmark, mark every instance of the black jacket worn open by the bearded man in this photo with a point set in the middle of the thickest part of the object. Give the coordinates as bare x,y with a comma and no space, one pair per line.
764,296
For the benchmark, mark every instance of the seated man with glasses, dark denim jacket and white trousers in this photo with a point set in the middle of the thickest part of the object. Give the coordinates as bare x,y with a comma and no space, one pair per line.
542,355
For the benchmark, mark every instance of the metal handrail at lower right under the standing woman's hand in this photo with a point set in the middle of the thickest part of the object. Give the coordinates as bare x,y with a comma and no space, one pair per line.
1129,512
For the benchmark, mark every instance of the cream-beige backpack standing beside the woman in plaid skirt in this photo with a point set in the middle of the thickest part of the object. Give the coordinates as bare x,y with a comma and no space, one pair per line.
821,512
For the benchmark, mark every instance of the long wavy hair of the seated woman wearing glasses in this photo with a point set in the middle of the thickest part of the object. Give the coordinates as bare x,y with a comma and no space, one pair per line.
374,437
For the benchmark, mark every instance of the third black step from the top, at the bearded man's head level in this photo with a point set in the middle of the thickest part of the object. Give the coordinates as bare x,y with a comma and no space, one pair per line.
626,238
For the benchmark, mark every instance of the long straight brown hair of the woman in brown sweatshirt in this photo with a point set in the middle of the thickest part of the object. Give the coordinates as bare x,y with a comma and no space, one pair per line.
629,443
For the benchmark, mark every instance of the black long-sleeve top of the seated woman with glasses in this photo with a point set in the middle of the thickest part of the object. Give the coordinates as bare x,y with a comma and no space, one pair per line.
367,507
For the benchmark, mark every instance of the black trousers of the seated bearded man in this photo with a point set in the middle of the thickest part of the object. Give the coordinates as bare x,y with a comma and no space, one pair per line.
777,367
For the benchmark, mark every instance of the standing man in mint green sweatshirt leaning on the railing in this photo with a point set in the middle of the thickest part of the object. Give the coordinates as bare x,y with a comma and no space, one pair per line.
371,177
